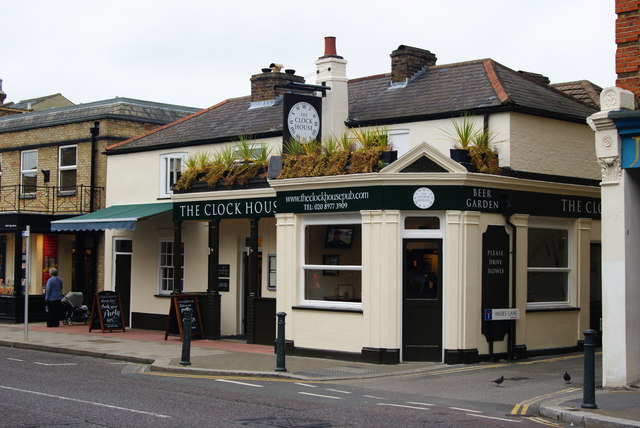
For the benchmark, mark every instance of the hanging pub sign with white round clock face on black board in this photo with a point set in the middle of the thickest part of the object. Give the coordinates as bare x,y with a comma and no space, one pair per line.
302,118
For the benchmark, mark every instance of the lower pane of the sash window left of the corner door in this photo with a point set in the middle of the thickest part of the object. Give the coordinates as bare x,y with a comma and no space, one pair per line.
333,285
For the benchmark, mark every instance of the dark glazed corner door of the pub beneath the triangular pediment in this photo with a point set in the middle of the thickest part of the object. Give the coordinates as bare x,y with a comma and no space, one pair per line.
422,300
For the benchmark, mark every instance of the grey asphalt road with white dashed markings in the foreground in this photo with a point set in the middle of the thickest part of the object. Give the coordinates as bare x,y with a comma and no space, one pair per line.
39,389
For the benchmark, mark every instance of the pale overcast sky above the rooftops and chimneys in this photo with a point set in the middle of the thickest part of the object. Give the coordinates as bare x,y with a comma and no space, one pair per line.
198,52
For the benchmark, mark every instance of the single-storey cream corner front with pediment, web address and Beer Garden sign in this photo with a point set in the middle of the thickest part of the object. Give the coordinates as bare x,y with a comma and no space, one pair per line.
401,266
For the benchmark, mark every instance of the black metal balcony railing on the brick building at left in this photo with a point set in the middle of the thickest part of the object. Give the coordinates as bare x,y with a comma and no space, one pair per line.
50,199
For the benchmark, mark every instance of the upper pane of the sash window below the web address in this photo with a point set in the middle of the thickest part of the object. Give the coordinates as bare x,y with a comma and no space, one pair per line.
345,241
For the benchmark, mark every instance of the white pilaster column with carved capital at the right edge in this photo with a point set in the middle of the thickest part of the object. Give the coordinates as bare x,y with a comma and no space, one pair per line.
620,288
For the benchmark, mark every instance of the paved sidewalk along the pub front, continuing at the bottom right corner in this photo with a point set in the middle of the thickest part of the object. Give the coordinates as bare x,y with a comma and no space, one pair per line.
616,408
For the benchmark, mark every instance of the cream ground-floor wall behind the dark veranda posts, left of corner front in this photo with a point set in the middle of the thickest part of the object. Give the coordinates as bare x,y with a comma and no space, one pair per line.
145,274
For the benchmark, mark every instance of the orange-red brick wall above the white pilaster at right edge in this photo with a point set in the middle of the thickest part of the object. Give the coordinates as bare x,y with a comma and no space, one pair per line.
628,51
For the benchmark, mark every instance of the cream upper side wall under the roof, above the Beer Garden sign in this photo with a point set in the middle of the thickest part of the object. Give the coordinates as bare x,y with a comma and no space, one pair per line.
552,146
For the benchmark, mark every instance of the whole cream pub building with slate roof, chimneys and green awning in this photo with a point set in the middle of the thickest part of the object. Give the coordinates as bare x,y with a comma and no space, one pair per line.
424,259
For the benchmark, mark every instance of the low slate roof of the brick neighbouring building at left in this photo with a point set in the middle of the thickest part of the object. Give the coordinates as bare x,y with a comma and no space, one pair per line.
116,108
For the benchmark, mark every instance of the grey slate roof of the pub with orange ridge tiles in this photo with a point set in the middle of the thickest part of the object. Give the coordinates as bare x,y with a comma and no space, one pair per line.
440,91
